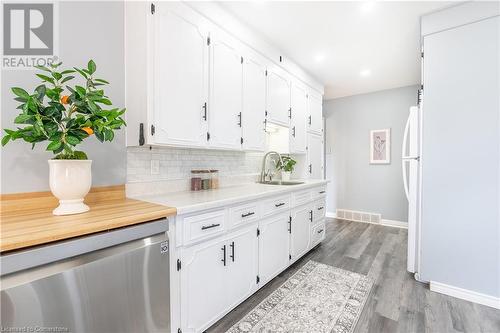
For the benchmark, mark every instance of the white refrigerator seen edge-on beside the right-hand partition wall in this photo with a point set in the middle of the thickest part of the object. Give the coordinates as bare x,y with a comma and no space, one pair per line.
411,180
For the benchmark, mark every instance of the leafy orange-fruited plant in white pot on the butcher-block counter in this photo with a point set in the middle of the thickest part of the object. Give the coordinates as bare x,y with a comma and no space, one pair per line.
64,116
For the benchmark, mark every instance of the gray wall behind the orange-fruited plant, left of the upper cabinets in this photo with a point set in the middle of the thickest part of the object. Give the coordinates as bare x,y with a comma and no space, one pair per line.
86,30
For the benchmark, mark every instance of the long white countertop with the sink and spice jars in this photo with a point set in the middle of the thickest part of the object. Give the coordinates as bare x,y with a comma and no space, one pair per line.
190,201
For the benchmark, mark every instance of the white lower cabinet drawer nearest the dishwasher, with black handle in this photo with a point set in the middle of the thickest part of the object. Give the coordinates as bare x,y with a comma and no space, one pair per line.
203,225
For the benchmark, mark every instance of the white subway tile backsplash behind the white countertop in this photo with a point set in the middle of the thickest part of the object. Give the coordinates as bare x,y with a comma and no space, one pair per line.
166,169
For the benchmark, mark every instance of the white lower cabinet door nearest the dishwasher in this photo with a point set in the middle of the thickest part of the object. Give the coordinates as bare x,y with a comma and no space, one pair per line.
203,287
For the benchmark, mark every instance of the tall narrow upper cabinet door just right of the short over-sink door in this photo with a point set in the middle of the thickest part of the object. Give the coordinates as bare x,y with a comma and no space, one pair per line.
298,125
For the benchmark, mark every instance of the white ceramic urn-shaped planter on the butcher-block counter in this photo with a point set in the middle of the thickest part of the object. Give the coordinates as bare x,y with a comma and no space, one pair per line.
70,181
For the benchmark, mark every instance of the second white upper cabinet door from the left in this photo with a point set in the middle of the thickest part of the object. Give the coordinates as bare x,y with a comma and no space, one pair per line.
224,109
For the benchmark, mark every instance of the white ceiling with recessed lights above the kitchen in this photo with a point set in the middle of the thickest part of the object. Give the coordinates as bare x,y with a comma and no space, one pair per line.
350,47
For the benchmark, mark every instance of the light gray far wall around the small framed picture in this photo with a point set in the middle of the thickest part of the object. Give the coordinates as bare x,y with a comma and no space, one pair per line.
355,183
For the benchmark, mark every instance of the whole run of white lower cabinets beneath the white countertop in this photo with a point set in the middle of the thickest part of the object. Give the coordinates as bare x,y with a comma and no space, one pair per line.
219,269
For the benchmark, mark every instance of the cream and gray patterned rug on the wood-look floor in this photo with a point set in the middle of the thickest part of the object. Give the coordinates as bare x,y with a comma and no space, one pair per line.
318,298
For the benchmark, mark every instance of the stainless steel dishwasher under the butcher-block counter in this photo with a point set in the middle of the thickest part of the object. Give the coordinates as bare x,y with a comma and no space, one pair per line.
116,281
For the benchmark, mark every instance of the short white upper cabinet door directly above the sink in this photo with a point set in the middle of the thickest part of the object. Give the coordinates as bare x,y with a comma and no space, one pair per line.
278,97
